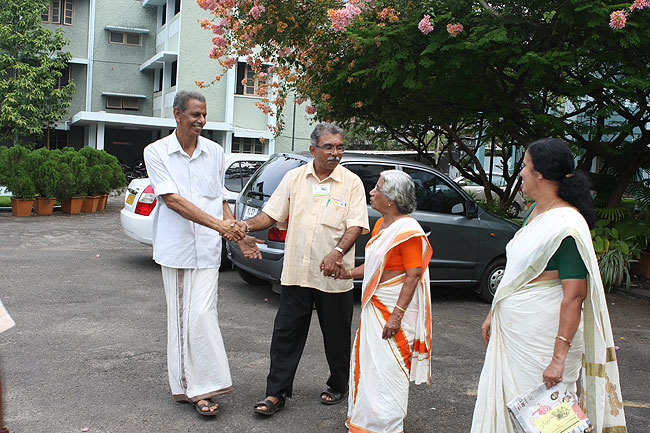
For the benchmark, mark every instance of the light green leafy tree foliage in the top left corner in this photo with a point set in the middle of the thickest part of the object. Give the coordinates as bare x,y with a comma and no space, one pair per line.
31,62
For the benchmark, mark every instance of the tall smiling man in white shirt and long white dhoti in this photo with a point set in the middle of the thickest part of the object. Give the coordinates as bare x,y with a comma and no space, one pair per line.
186,171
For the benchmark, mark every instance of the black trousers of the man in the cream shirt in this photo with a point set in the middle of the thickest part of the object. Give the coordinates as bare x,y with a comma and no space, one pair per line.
290,334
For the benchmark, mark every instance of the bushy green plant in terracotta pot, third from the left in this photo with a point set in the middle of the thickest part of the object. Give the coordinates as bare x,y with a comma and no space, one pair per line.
72,181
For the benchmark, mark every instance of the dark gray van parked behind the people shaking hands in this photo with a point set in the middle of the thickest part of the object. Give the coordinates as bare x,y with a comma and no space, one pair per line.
468,242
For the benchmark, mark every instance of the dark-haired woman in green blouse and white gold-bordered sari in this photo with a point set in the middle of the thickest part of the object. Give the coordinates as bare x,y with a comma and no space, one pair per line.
549,321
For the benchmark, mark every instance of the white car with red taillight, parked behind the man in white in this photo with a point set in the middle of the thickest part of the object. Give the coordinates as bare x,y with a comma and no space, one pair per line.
140,200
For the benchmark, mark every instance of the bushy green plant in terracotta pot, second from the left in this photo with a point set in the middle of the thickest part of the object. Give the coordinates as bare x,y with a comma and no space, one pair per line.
44,173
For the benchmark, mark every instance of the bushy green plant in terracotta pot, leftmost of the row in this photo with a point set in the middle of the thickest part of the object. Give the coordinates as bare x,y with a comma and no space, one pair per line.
18,180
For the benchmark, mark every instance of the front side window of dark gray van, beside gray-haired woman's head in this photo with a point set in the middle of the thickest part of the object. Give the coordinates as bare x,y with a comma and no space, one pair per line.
433,194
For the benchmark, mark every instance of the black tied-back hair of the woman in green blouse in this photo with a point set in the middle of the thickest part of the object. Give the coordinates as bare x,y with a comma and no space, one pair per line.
555,161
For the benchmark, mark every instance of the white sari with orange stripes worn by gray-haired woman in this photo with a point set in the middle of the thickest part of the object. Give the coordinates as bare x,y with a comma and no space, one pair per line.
381,370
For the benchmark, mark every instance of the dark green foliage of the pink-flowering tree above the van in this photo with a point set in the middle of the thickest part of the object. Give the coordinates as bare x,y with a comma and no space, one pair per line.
519,71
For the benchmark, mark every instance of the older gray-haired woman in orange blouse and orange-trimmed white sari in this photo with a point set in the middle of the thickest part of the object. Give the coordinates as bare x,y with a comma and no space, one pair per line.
393,343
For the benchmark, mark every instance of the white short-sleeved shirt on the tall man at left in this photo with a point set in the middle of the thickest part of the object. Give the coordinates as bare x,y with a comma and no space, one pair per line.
179,242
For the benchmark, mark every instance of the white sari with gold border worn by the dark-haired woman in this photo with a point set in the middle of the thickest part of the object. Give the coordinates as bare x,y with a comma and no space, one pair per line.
525,319
